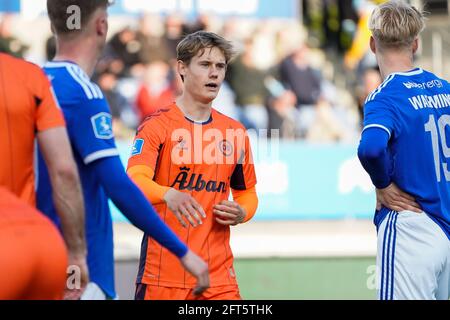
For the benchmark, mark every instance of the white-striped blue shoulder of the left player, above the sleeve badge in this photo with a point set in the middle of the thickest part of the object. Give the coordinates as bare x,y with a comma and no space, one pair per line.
70,78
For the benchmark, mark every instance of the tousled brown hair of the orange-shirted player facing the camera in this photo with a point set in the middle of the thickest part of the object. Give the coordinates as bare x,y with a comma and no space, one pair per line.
198,41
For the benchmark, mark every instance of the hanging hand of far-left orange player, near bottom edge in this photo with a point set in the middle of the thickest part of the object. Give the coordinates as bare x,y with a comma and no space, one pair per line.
82,274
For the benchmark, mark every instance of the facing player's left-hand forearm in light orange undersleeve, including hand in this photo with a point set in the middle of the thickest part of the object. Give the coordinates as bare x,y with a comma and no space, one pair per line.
180,203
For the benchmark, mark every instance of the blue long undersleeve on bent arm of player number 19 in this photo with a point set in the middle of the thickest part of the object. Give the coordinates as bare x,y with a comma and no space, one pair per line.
373,154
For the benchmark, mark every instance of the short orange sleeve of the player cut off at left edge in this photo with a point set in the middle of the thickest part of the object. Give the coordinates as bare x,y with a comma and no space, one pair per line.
49,114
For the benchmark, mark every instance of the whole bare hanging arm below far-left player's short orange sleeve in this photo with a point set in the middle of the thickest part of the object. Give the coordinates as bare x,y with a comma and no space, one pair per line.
67,195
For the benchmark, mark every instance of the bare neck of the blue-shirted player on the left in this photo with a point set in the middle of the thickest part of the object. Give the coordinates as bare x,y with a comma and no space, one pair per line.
79,53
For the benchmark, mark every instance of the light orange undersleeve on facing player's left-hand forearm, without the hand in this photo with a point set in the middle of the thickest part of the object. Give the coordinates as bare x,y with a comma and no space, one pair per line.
142,176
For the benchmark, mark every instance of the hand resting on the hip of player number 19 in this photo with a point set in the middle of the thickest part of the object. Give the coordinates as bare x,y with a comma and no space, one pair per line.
395,199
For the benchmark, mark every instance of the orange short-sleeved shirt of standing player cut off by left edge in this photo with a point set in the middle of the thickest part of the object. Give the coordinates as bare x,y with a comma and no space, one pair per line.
25,107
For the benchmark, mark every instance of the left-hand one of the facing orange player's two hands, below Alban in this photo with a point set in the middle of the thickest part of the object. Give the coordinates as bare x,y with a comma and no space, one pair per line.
184,205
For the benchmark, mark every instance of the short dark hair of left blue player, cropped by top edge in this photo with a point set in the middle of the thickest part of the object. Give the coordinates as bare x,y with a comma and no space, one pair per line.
57,12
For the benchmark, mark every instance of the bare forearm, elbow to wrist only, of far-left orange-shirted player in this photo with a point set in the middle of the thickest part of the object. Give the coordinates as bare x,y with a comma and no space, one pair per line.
68,200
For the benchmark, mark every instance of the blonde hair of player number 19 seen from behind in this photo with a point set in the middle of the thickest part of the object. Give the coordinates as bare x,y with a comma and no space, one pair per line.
396,24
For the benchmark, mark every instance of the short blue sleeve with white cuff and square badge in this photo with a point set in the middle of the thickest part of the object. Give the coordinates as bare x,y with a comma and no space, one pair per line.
90,129
